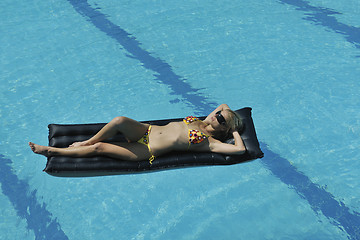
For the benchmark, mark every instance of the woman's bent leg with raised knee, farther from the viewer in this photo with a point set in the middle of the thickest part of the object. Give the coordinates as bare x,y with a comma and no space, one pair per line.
132,130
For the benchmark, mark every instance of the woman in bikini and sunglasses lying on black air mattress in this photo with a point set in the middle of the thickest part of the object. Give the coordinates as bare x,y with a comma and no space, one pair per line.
147,141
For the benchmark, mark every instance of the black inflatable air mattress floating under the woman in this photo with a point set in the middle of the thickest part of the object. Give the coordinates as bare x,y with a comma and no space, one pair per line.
61,135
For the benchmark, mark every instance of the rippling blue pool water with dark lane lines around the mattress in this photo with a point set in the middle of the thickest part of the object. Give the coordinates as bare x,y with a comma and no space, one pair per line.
295,62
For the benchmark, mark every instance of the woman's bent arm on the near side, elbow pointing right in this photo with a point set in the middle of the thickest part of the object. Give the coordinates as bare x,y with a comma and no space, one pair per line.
219,147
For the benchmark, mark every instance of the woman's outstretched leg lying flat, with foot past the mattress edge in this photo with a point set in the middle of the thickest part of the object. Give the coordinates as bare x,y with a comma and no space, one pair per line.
123,151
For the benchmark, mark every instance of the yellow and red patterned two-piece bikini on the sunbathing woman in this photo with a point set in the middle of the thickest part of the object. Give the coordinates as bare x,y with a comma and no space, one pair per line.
195,136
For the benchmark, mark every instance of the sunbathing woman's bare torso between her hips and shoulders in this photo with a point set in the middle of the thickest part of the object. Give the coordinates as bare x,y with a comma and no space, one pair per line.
175,137
